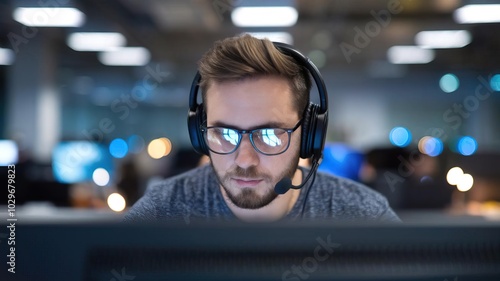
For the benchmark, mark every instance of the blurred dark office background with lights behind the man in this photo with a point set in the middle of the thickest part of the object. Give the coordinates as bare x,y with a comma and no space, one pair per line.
90,120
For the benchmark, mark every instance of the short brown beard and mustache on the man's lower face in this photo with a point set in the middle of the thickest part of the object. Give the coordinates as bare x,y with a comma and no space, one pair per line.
249,198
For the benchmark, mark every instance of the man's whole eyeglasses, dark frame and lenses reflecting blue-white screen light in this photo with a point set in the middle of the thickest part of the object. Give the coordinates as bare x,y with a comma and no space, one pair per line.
268,141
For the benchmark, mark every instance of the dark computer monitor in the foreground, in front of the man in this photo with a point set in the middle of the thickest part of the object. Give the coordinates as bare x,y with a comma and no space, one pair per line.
274,251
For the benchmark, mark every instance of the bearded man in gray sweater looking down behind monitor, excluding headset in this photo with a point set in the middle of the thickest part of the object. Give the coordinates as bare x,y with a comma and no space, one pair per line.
254,98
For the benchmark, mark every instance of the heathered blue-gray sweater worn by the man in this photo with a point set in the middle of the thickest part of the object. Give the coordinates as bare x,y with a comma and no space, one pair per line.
195,195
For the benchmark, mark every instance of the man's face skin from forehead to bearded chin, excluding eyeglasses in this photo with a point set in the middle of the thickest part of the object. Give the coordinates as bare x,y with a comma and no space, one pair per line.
247,176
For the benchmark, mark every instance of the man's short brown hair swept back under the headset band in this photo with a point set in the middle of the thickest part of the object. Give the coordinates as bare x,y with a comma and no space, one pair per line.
237,58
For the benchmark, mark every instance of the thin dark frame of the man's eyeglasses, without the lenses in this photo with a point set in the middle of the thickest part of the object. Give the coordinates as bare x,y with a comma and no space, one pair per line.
240,133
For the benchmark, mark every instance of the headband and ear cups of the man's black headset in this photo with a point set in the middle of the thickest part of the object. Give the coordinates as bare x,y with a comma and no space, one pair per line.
315,119
